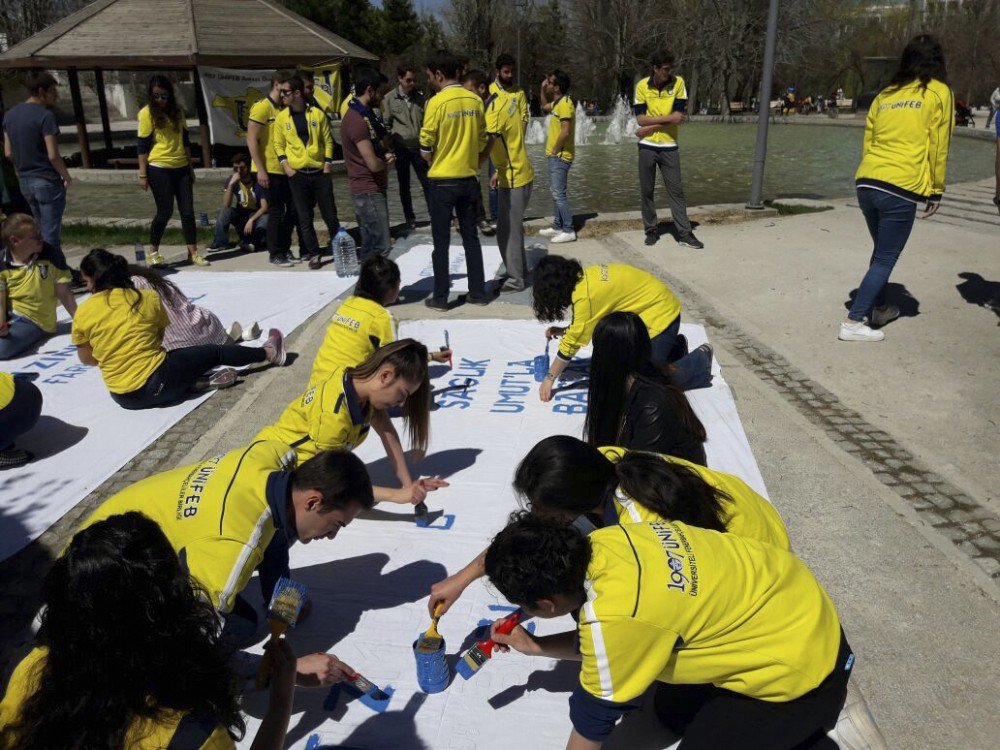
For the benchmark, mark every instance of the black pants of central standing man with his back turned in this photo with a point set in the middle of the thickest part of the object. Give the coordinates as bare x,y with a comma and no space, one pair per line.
456,197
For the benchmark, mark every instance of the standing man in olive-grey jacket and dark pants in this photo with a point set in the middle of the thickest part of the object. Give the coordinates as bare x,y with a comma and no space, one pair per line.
403,114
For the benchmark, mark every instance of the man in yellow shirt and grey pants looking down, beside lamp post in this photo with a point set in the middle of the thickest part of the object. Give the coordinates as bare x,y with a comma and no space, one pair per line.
660,105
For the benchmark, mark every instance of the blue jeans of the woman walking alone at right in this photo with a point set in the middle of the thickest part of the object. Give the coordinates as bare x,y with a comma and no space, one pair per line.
890,220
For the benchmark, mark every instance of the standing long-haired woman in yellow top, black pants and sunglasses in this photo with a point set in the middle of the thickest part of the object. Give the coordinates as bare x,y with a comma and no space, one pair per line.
165,166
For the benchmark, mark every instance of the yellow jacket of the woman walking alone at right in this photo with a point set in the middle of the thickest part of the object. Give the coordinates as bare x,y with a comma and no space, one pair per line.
907,136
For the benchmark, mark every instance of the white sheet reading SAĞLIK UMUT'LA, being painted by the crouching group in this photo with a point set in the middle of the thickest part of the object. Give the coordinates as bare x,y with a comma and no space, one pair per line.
369,586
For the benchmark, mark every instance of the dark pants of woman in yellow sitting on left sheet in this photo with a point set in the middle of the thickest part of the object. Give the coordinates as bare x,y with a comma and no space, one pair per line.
179,371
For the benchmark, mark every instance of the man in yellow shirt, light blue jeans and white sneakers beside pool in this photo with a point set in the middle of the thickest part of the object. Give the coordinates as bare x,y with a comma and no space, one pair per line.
559,152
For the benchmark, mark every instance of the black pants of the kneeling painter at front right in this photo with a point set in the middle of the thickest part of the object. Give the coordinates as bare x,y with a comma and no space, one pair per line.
708,717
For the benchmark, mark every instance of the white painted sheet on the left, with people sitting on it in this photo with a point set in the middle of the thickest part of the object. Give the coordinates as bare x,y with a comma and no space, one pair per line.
83,437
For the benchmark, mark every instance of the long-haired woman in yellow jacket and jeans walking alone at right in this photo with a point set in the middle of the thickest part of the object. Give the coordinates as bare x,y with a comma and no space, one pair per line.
903,162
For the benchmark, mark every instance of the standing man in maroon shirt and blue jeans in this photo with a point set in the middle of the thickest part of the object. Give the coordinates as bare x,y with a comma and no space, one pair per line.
364,138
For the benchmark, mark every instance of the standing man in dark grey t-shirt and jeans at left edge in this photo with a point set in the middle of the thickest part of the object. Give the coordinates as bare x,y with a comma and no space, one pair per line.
31,143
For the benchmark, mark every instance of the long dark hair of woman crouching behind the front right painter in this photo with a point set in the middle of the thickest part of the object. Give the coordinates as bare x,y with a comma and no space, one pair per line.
562,473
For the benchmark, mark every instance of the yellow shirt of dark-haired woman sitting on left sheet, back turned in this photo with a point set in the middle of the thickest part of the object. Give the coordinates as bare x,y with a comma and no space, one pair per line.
126,341
